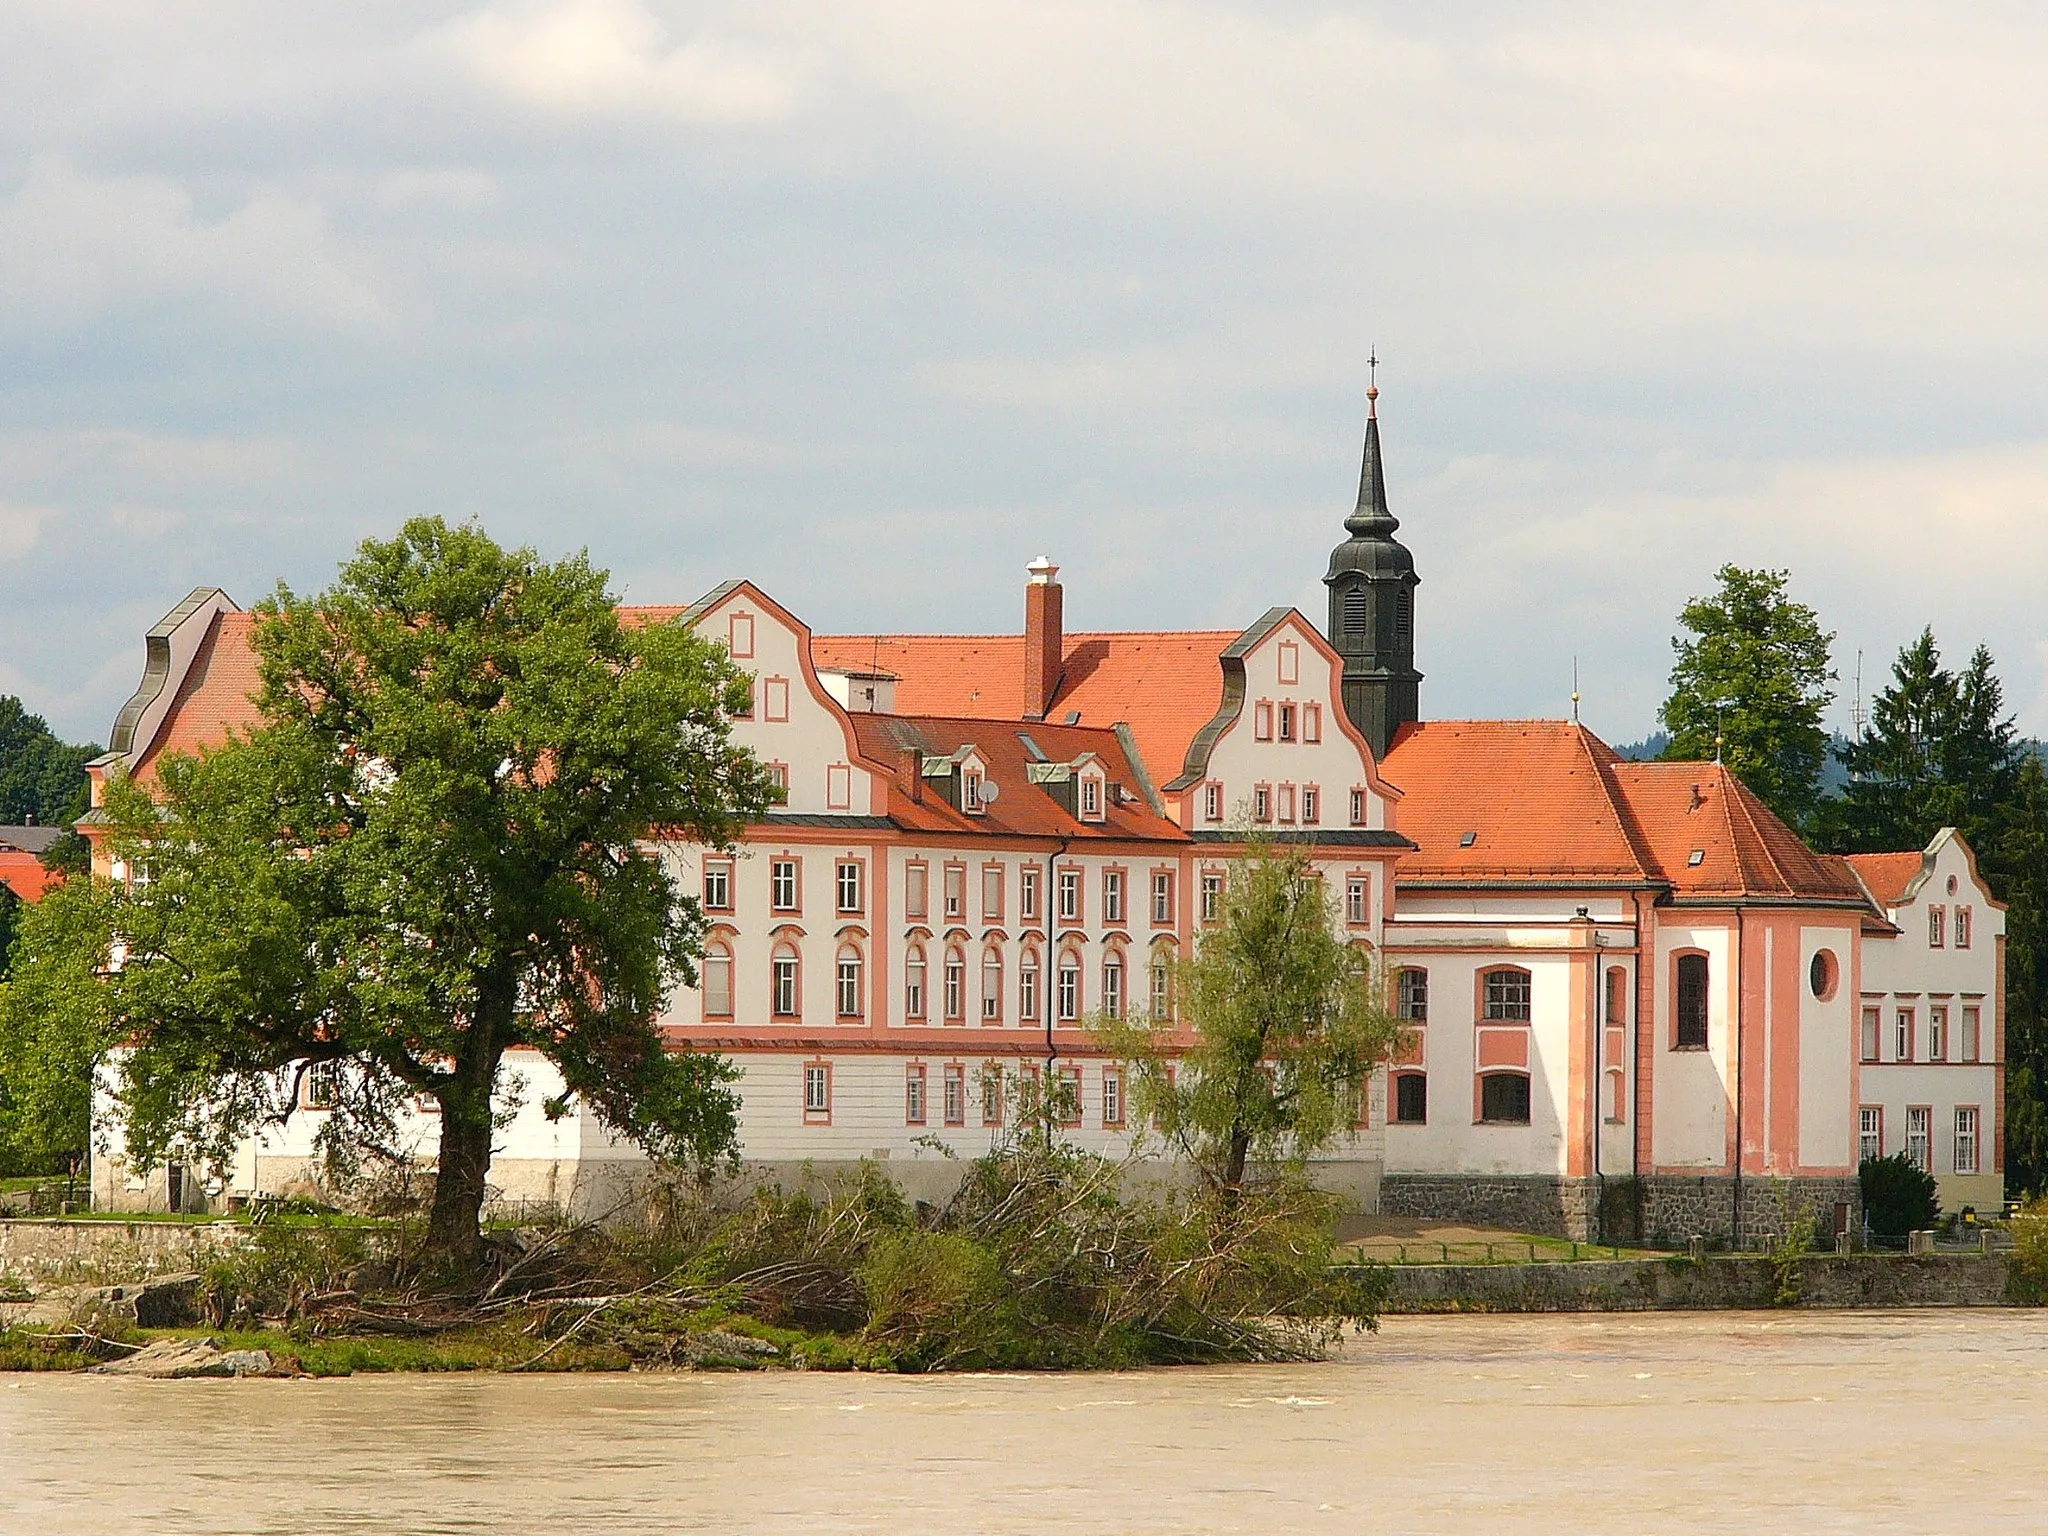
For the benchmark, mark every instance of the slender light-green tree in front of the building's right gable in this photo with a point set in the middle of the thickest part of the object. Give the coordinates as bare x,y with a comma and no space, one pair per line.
1279,1023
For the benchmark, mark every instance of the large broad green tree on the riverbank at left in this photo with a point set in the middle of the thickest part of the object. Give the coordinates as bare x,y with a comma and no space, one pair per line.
435,849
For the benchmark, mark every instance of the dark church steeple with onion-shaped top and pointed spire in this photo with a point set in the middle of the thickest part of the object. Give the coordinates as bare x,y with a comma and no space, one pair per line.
1373,607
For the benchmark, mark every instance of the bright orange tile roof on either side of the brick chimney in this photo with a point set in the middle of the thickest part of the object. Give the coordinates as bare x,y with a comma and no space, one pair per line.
1164,685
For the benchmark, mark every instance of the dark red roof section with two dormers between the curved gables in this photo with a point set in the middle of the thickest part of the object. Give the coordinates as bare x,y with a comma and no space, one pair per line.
1023,808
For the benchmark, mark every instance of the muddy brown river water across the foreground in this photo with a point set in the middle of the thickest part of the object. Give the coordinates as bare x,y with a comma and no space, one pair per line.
1721,1422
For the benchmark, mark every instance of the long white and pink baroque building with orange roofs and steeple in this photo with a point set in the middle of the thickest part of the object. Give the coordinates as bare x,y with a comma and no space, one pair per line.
1639,998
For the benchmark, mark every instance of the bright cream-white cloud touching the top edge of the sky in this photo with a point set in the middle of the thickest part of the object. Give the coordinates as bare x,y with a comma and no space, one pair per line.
613,56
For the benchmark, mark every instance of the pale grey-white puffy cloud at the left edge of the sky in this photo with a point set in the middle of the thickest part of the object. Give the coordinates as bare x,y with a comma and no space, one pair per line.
79,247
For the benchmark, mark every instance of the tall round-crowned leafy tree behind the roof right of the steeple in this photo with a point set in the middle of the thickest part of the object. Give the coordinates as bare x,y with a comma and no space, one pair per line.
1752,681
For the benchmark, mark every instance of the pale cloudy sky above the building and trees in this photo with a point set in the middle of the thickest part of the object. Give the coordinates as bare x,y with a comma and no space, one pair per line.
878,300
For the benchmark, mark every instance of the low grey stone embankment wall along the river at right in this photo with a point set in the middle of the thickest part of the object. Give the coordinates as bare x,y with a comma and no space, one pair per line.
1713,1283
